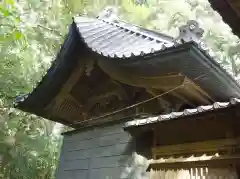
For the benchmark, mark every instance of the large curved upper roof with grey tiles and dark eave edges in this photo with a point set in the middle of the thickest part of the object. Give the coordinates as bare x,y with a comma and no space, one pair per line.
124,42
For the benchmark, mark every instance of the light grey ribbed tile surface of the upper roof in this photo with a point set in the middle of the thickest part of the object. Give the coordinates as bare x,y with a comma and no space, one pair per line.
119,40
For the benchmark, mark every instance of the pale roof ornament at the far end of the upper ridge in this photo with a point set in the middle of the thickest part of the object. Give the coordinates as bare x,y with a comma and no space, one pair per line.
109,13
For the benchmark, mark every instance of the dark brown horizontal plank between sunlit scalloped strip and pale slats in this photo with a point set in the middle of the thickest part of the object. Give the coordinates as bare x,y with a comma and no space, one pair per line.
219,162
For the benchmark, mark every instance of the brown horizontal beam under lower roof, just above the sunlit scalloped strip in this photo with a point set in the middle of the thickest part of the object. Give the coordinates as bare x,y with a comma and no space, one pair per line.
197,147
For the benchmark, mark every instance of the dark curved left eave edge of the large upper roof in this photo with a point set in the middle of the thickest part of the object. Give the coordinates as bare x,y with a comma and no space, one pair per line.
57,74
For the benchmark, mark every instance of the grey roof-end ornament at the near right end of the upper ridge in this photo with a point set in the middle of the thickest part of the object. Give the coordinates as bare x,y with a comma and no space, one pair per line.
190,32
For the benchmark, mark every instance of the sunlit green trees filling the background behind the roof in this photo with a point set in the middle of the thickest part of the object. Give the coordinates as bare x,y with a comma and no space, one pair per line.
31,32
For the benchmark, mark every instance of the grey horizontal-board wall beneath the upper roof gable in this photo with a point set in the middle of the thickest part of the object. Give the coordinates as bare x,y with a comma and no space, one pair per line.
100,153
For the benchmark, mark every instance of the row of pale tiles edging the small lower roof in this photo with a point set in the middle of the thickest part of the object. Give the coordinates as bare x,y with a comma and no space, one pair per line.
186,112
